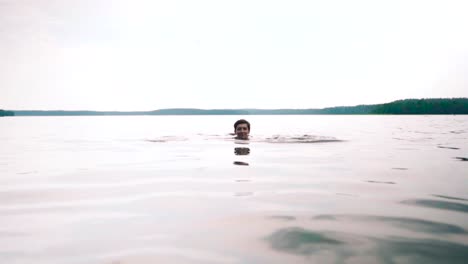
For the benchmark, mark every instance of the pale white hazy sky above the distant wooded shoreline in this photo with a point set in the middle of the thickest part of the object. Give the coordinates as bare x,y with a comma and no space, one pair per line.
145,55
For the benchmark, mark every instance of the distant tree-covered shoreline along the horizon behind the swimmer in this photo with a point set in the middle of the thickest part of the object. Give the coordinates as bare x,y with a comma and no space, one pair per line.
454,106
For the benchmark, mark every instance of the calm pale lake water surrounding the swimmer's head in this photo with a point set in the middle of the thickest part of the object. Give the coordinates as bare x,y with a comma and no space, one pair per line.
179,189
